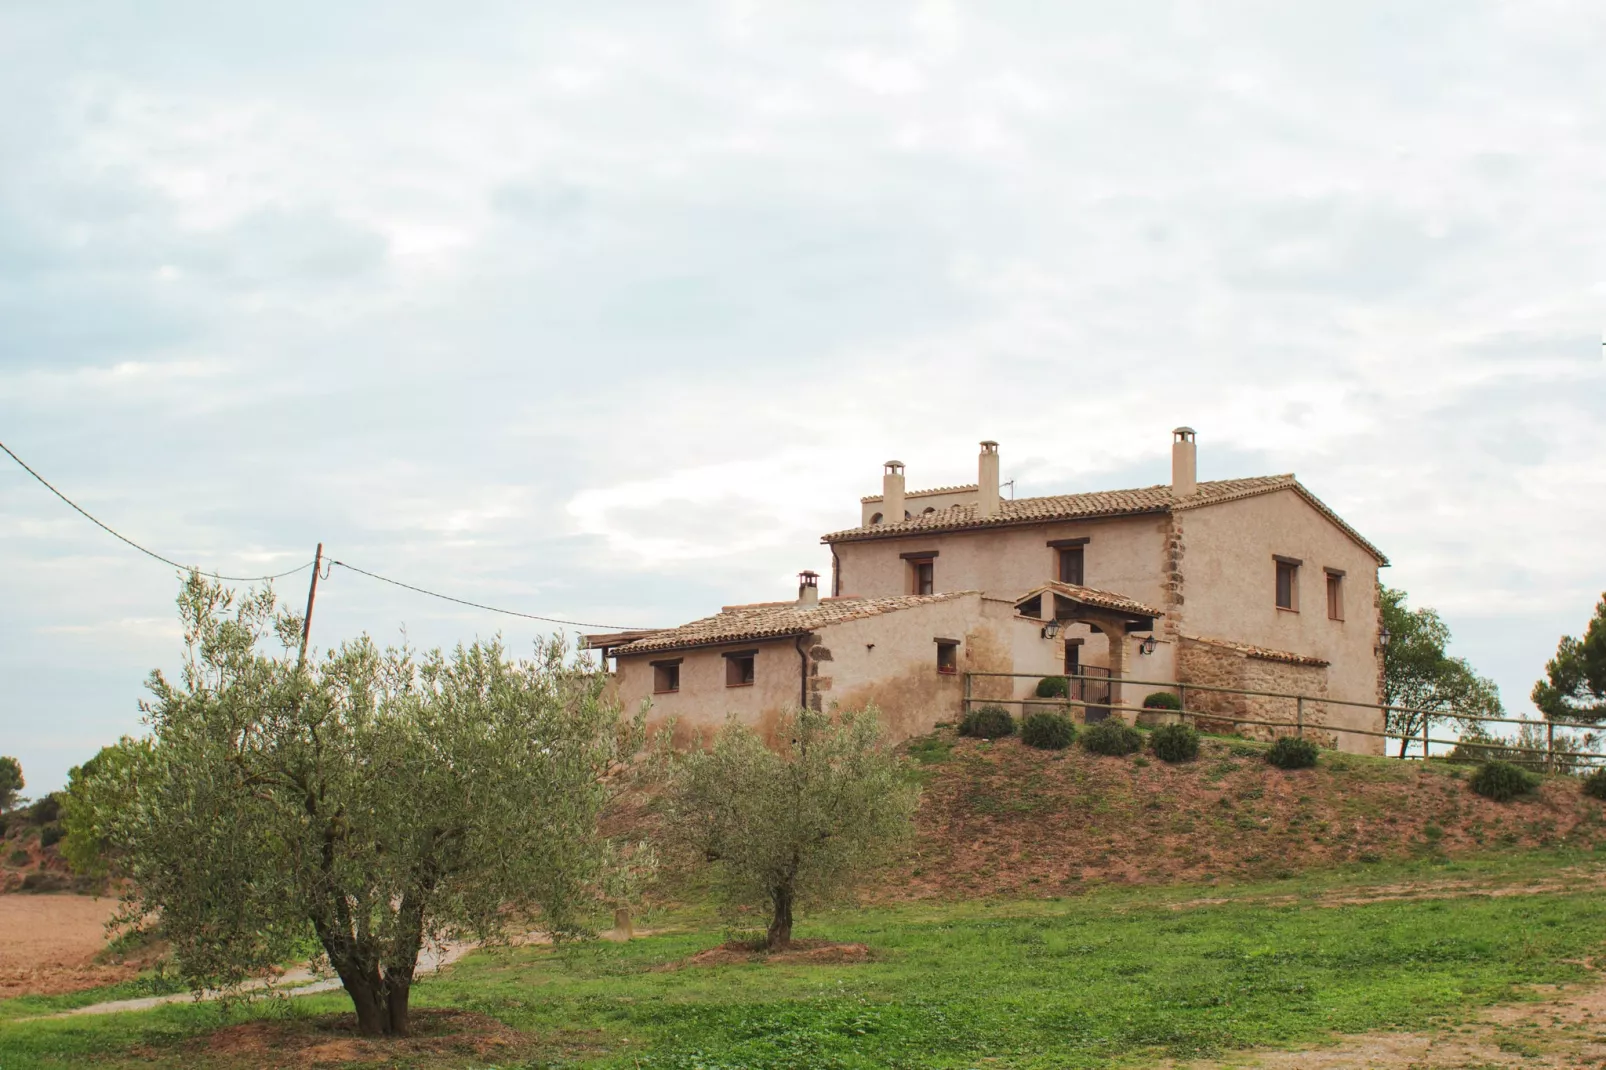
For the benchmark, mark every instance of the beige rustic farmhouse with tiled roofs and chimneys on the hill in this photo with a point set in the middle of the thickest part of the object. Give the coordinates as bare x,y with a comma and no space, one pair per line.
1247,584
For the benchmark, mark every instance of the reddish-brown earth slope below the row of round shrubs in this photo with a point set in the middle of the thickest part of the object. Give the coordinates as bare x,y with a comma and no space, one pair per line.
1000,819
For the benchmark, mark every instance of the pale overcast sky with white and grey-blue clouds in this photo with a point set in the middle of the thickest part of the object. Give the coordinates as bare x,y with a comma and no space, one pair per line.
609,311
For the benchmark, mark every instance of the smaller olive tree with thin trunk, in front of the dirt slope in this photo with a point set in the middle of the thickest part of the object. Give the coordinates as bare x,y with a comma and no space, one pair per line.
791,825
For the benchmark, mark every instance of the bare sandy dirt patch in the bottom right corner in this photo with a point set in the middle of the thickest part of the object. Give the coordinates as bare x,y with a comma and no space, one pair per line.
1565,1031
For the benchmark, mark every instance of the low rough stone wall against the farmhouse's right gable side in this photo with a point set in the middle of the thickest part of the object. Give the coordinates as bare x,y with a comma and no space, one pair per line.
1223,666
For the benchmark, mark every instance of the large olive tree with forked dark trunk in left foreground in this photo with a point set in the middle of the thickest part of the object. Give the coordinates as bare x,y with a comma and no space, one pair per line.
373,799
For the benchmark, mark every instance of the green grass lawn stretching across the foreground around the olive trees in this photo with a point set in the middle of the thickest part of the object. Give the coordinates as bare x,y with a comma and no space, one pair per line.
1115,976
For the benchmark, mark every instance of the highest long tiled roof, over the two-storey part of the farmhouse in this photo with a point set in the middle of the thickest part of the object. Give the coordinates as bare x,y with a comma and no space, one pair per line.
1098,504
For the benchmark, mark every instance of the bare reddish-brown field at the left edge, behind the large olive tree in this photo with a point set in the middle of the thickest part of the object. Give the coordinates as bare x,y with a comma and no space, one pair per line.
49,944
